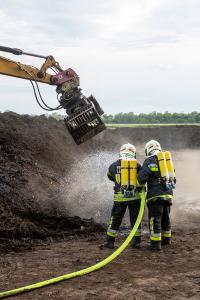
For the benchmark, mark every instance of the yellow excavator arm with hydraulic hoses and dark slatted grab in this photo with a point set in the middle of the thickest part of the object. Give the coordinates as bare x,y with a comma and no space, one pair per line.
83,119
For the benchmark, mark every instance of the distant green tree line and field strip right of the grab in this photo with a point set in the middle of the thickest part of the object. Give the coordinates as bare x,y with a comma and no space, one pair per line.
152,118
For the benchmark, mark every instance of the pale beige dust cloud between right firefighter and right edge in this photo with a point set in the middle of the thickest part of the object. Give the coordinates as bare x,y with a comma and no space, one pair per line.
186,208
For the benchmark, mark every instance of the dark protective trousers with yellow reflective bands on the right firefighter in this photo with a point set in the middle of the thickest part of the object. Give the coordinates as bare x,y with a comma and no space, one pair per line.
159,221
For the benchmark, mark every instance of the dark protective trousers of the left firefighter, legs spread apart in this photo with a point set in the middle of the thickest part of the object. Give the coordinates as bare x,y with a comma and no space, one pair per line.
117,214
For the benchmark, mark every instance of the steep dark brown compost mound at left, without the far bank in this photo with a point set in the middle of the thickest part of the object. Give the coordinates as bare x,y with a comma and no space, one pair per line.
35,153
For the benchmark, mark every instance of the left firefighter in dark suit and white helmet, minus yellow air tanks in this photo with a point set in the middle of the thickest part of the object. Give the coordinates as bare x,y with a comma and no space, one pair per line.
123,200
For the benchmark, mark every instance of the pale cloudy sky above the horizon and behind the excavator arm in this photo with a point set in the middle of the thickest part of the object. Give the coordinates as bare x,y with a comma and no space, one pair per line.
133,55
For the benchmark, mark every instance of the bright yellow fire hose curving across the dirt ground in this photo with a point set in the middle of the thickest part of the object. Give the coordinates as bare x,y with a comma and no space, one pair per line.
84,271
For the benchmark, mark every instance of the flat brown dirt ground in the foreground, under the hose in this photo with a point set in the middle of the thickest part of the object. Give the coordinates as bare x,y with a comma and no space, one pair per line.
173,273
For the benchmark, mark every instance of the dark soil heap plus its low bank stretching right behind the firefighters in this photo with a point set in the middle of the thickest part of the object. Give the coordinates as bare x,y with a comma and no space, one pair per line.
36,153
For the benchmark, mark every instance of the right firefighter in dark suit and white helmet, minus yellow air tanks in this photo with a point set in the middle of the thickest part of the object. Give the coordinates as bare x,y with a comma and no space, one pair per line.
159,197
